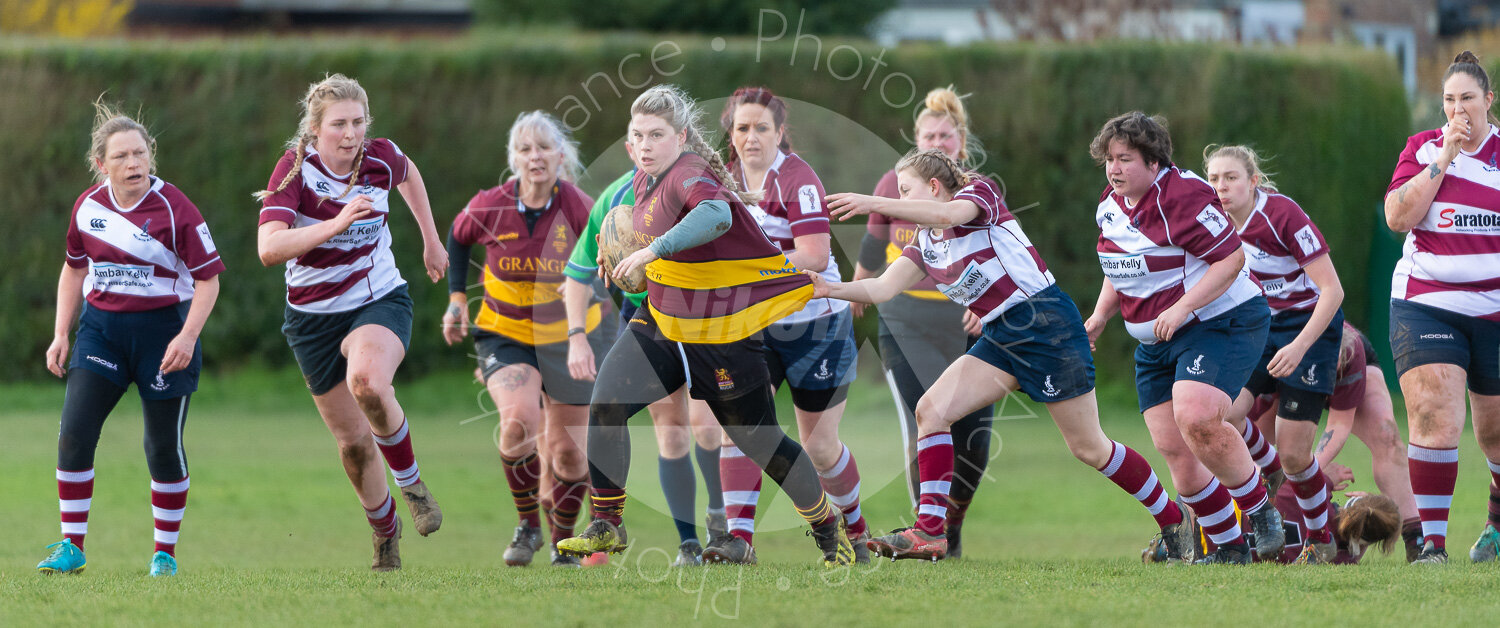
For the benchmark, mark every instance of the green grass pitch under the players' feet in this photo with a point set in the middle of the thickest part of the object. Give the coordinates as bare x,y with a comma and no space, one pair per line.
275,536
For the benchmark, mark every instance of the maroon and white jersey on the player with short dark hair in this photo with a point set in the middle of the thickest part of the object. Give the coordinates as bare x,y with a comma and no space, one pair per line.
1156,253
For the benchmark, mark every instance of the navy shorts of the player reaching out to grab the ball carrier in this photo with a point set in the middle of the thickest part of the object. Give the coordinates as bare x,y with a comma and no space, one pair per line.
1043,345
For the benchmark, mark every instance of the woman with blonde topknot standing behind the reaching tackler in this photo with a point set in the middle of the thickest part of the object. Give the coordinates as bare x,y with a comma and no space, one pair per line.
922,332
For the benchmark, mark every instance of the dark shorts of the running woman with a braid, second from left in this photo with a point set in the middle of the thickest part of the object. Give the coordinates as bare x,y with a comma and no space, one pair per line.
317,339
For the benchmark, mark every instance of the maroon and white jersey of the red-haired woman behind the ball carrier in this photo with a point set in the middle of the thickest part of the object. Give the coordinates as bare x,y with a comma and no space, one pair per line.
793,208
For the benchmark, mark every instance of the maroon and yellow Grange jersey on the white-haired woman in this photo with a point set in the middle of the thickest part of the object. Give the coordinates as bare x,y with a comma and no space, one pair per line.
524,268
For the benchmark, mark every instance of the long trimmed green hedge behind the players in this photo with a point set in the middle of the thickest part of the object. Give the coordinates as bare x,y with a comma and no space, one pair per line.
223,110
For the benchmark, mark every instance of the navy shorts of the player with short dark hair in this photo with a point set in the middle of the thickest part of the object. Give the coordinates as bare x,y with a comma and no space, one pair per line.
1222,353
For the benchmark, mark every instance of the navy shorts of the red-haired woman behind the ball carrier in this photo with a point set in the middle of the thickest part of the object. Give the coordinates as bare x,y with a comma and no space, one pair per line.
817,354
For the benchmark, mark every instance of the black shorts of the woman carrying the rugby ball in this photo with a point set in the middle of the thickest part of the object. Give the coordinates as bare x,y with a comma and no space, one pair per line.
646,366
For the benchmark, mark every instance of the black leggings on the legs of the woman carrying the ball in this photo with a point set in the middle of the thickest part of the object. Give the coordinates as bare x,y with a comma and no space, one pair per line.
638,372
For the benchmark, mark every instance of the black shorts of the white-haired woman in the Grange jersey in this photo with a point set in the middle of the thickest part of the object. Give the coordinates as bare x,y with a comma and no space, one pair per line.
551,360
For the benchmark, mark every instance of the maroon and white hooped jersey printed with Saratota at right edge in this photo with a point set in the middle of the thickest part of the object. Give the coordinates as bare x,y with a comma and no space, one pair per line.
1451,260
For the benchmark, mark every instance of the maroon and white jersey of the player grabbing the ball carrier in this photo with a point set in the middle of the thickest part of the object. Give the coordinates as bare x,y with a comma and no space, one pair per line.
988,265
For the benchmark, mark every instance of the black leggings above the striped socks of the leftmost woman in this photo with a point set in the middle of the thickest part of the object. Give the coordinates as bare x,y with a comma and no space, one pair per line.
89,401
